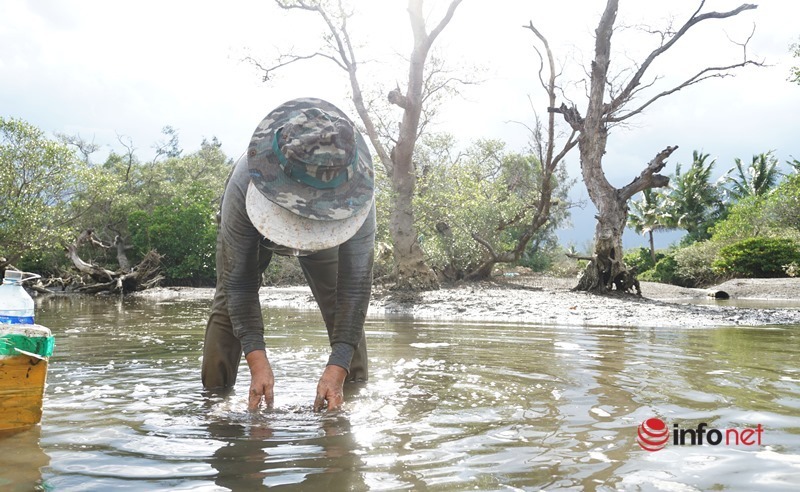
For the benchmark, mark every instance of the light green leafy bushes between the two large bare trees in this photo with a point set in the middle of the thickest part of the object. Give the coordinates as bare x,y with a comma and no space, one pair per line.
483,199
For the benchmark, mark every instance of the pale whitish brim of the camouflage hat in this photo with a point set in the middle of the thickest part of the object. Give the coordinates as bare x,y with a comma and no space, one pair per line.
288,229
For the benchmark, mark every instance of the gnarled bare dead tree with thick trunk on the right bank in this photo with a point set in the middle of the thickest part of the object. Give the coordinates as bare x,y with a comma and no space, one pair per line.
592,127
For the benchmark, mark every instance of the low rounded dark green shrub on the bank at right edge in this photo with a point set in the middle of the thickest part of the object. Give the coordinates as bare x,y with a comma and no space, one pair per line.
757,257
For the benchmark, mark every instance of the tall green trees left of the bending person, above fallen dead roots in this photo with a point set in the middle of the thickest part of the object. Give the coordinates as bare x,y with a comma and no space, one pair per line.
181,193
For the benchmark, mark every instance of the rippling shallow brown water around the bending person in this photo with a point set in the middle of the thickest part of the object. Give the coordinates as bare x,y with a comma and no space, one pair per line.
467,406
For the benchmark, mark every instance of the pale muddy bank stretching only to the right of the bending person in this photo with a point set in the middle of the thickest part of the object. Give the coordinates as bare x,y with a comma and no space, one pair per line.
551,301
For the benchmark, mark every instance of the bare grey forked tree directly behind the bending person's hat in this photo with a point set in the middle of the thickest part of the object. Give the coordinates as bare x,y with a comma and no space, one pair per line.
411,270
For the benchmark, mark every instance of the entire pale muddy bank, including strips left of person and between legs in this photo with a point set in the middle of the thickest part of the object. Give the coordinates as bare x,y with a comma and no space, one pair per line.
548,300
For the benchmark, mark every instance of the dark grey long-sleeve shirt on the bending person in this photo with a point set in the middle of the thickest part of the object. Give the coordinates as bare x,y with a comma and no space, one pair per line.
242,277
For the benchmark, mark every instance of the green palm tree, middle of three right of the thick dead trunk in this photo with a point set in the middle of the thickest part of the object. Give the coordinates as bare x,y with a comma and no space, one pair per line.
695,200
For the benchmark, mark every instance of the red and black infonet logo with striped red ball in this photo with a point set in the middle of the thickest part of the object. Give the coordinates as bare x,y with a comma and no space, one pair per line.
653,435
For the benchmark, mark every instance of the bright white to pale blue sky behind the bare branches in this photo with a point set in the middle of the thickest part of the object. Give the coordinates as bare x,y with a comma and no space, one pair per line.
123,69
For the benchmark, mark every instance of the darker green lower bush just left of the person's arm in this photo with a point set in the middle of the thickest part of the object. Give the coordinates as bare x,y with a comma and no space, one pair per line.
184,232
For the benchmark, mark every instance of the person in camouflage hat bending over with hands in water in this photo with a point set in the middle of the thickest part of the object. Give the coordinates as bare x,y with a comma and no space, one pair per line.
304,188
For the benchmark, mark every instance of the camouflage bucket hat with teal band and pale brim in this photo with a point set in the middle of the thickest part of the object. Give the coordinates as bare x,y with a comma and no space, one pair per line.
310,175
